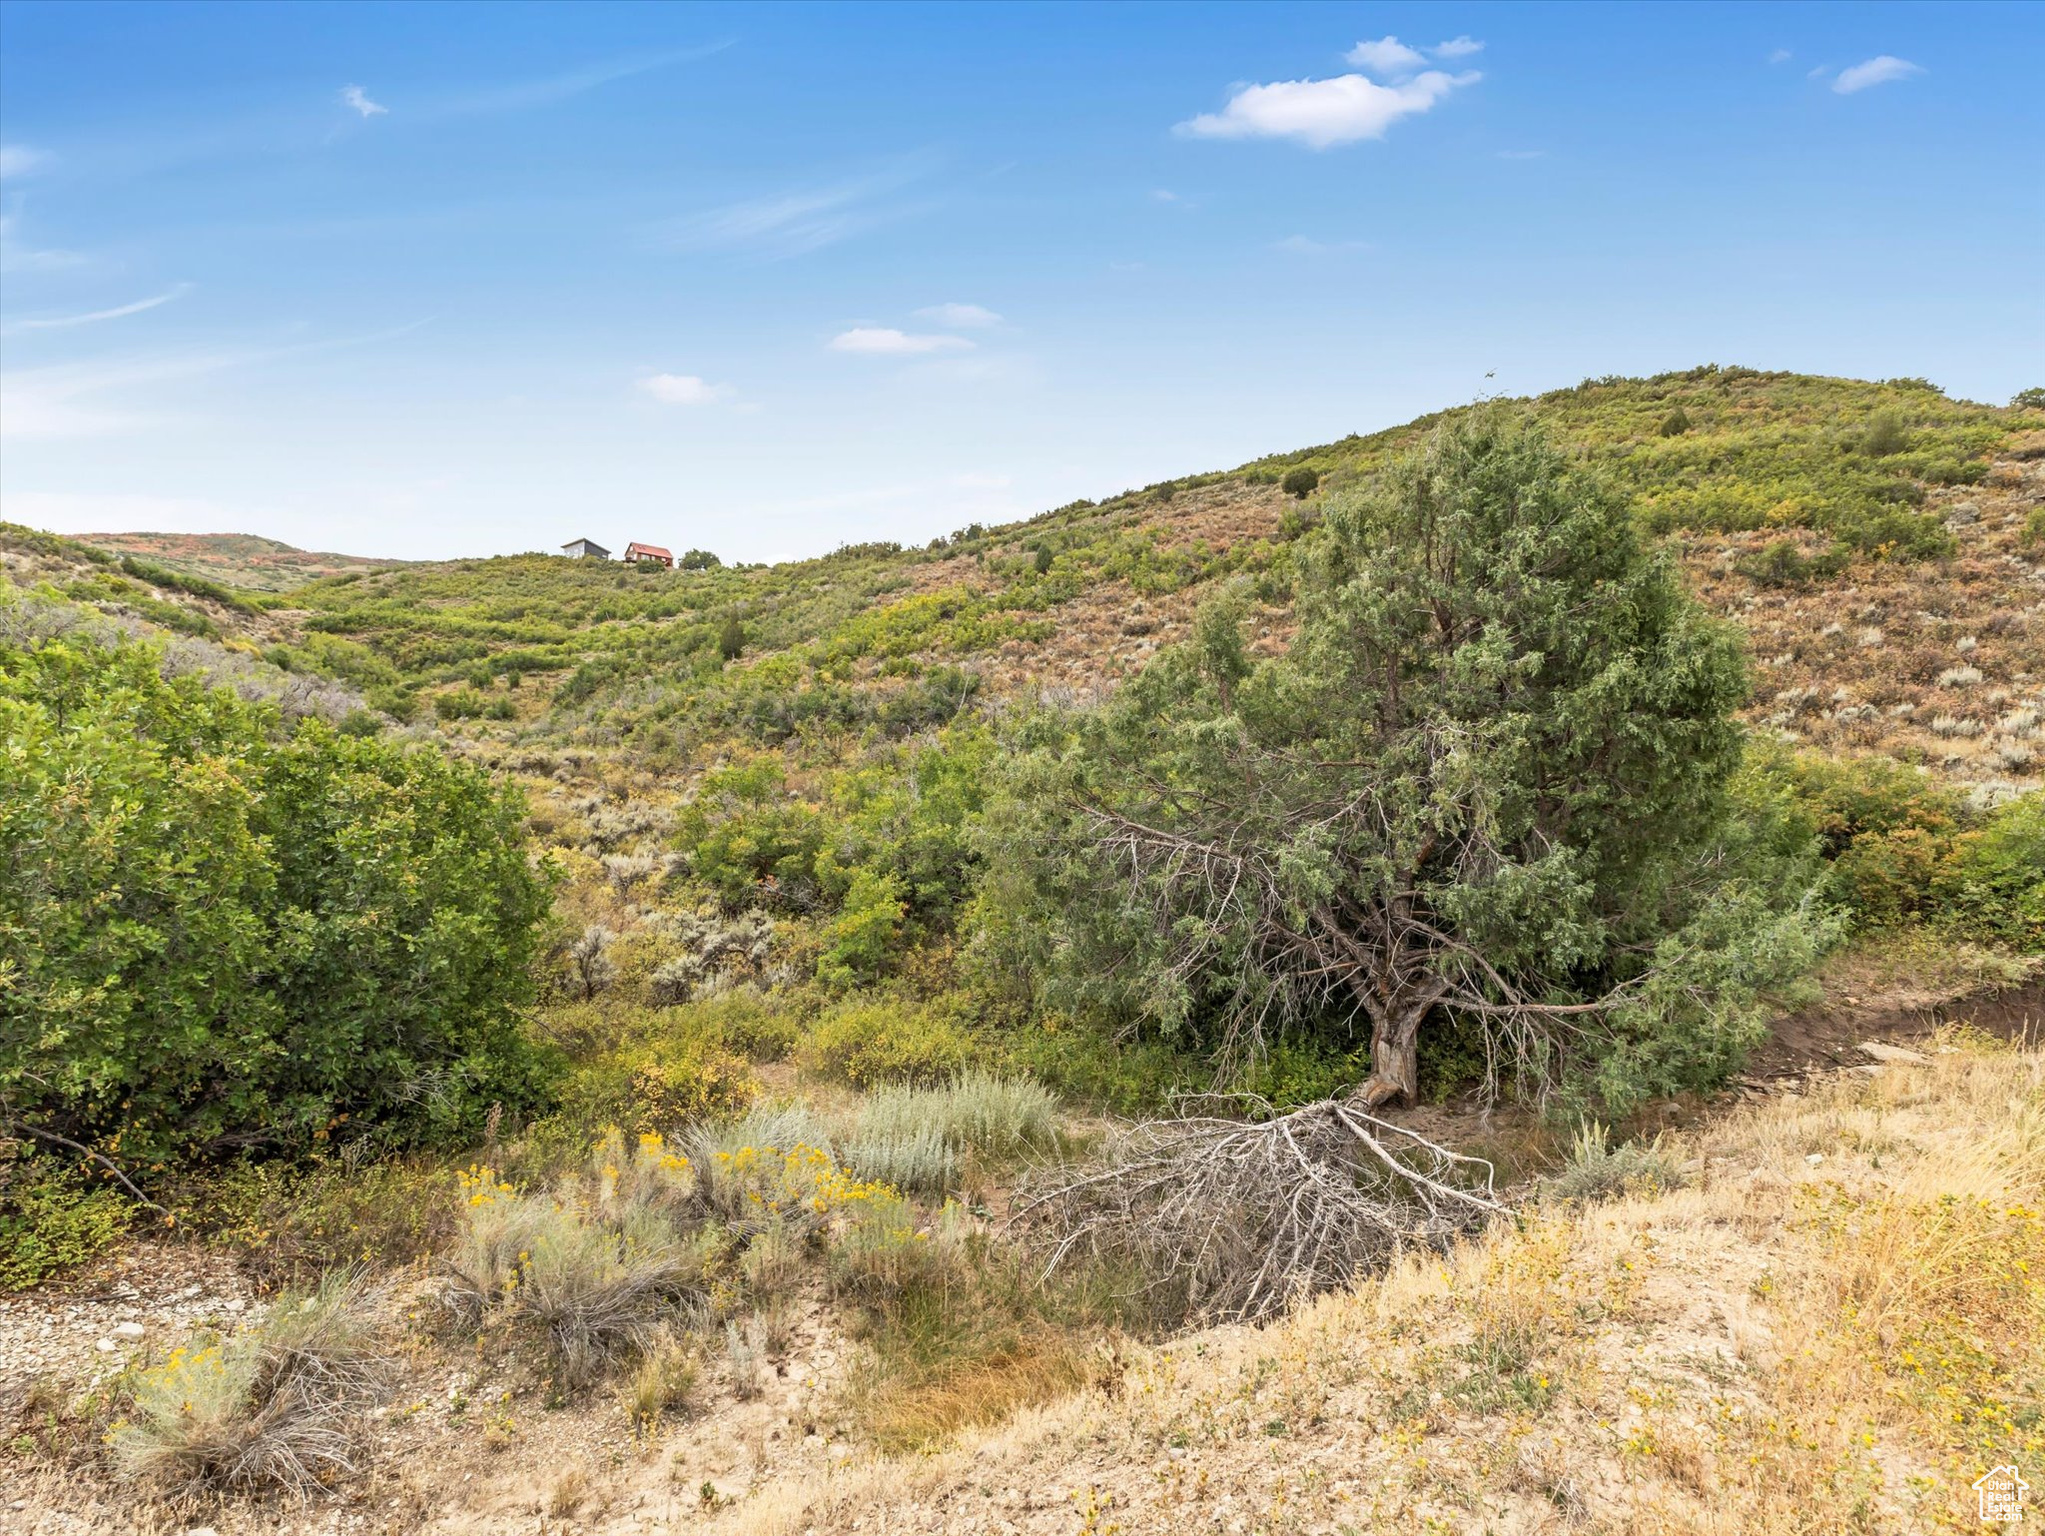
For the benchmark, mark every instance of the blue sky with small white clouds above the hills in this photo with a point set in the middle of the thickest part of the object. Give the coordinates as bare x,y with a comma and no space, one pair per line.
430,281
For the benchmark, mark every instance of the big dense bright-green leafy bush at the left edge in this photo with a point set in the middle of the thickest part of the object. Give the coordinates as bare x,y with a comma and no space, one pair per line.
222,936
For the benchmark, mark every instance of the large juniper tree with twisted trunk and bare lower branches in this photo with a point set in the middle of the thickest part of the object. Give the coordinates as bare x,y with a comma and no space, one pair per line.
1484,788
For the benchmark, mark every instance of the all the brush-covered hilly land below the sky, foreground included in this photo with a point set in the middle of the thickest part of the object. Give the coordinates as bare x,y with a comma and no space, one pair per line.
1471,979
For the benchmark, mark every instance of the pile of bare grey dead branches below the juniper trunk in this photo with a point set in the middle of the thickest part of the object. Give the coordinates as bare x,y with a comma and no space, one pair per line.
1236,1220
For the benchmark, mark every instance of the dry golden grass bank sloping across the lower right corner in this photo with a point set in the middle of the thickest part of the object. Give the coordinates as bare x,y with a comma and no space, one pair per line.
1835,1326
